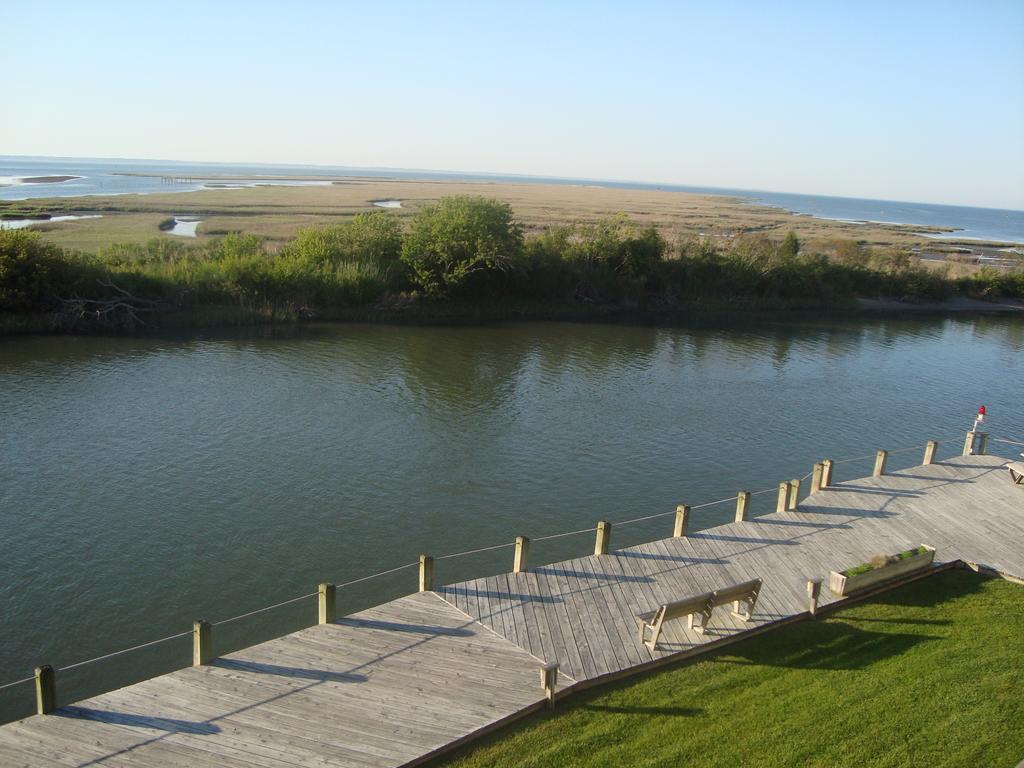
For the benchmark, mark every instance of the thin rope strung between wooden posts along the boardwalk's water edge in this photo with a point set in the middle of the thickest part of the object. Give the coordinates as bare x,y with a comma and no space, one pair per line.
452,556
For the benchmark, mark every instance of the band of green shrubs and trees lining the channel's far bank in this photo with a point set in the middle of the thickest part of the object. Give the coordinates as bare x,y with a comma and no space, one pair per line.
461,258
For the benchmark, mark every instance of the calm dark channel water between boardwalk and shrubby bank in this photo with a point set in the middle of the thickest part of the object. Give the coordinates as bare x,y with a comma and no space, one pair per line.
148,483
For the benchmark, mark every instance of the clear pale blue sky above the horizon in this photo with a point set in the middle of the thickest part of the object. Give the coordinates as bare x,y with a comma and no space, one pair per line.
891,101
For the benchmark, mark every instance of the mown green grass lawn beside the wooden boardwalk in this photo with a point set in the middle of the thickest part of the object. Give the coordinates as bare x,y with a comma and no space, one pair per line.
931,674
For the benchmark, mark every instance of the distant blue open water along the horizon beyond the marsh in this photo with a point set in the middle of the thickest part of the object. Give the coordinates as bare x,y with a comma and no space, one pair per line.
101,178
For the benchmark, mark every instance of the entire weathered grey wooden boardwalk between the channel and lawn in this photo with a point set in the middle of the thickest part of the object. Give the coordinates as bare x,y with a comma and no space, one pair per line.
398,684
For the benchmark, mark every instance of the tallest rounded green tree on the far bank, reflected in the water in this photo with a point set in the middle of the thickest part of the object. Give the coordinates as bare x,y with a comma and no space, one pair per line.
458,238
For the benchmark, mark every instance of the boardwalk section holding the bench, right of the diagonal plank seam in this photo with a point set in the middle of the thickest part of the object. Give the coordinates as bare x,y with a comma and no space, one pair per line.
581,613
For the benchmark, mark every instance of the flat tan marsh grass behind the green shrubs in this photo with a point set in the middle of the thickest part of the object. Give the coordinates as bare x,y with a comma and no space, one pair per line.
276,214
